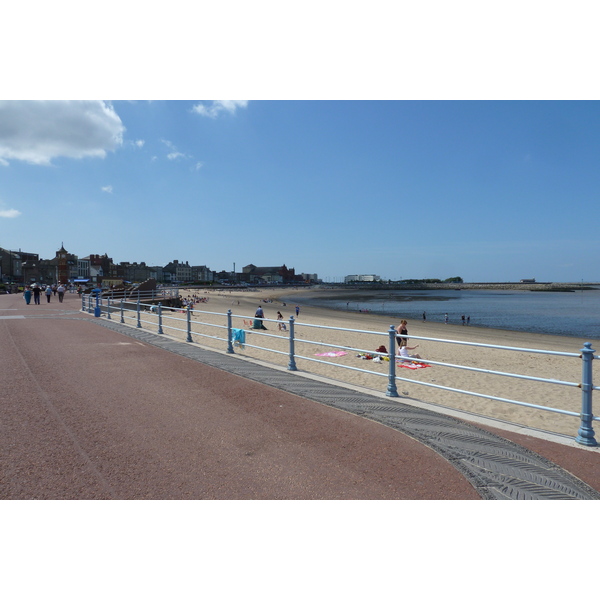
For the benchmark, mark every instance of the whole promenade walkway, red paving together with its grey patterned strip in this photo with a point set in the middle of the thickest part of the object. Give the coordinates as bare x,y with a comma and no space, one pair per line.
92,409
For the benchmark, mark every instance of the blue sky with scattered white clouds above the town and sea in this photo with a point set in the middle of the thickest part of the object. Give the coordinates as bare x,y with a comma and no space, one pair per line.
485,190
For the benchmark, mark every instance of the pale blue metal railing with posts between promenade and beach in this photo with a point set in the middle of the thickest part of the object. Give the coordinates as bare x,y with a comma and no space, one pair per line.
138,311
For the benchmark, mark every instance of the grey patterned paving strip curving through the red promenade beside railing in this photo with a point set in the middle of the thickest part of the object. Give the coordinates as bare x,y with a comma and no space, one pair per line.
496,467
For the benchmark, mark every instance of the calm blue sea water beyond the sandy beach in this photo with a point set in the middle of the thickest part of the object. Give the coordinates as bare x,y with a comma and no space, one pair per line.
558,313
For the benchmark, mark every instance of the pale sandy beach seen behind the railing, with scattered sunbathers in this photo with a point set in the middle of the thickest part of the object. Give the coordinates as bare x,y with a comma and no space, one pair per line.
313,323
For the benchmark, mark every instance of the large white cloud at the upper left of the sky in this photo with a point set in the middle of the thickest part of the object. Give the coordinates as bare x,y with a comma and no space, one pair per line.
36,131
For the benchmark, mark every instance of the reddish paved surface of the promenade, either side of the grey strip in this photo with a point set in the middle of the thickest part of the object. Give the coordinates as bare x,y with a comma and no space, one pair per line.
89,413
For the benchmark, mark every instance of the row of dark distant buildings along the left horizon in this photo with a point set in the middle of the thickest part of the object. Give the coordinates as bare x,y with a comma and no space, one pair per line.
23,268
